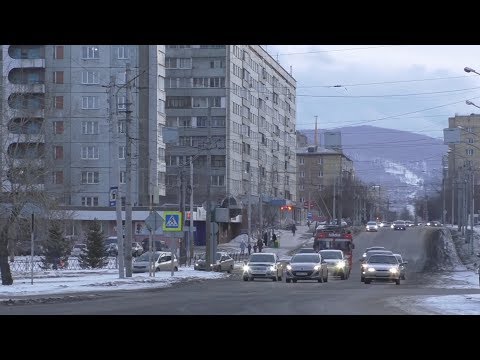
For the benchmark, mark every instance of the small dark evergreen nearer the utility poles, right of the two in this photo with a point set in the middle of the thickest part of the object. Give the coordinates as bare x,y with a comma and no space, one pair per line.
95,256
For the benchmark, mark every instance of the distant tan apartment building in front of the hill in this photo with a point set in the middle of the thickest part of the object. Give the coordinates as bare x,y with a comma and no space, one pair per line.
317,169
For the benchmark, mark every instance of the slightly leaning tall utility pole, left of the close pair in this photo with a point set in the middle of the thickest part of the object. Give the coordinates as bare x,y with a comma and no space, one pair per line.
115,145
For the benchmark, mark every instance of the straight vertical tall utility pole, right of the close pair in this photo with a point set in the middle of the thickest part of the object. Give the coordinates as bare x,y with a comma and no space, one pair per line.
128,173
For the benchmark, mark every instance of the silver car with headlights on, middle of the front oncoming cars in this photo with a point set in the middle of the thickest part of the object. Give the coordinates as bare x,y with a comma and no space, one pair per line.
306,267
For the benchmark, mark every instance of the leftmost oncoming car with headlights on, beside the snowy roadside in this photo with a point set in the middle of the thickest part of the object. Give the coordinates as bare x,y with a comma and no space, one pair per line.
263,265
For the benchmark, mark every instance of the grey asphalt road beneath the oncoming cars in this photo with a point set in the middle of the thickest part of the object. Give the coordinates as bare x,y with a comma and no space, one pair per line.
233,296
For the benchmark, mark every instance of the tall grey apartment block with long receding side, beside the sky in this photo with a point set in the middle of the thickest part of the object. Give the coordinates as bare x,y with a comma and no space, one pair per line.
246,100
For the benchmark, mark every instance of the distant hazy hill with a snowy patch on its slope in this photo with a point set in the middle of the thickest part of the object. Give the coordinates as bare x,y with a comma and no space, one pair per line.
399,161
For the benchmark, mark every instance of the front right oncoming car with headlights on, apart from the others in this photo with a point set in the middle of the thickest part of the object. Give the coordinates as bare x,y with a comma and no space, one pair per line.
382,267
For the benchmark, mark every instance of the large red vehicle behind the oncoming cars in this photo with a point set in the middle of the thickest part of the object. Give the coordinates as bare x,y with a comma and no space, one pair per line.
337,238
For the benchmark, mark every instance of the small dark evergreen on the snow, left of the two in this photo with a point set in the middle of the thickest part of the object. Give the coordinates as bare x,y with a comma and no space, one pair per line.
55,248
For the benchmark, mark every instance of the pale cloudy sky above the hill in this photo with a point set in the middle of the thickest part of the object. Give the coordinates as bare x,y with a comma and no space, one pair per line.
430,80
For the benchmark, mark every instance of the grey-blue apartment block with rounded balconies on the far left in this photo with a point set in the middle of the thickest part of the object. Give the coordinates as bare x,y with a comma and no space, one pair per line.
56,110
